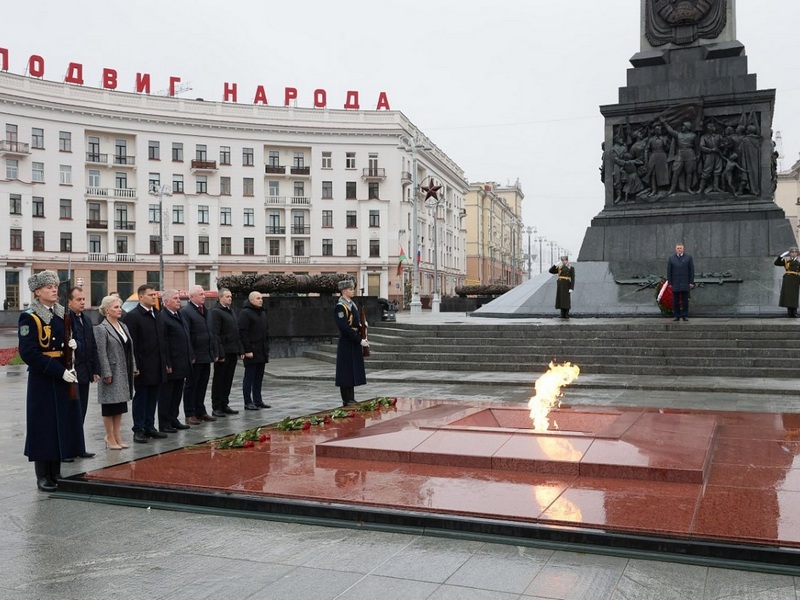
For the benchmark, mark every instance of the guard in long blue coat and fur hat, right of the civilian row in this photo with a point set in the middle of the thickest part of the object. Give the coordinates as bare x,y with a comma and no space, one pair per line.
350,370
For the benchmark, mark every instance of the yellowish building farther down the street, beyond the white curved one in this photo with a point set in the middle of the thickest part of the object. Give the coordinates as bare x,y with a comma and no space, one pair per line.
494,234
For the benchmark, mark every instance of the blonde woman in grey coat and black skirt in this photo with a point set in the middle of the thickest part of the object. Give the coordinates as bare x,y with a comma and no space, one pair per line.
117,369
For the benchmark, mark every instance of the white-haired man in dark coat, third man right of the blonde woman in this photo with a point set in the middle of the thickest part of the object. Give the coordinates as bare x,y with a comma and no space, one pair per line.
196,317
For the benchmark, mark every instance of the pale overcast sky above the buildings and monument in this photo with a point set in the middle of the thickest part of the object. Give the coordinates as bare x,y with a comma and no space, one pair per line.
508,89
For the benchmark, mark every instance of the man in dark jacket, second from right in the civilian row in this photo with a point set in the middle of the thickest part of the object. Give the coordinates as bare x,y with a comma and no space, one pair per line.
225,329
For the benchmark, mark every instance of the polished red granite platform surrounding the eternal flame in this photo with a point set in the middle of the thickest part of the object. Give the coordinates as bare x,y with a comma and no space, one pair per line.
735,476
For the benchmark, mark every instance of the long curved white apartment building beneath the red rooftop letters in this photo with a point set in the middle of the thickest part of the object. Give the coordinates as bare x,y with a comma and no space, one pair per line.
254,189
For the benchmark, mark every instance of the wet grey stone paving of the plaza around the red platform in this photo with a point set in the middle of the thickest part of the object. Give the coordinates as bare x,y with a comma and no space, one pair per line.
57,548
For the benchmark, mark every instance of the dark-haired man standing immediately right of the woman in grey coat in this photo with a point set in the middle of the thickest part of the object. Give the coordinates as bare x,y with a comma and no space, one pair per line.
147,333
